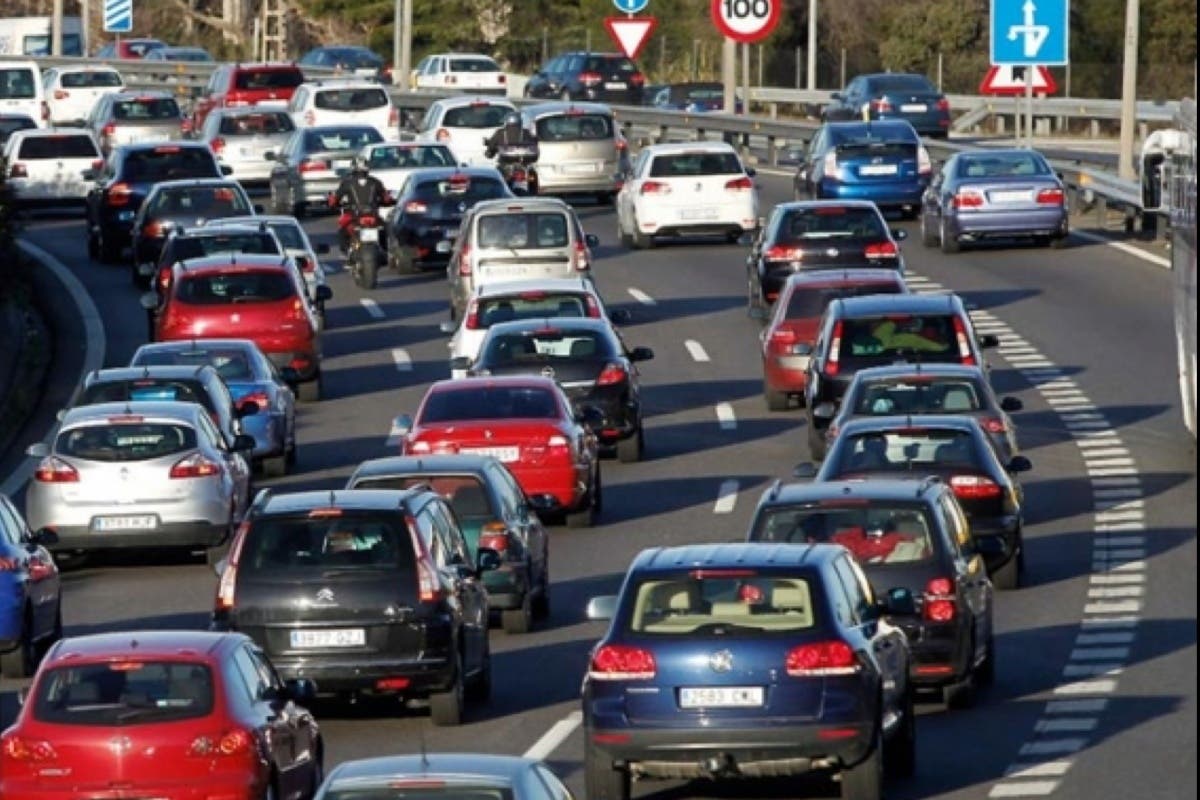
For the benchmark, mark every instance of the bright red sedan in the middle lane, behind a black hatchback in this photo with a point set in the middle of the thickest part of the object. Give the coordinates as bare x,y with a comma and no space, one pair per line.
525,422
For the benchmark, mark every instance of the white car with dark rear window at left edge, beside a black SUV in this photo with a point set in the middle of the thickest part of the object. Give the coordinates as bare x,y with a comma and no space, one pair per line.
47,165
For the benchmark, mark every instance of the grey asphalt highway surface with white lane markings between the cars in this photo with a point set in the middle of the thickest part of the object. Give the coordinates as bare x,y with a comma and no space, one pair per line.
1096,691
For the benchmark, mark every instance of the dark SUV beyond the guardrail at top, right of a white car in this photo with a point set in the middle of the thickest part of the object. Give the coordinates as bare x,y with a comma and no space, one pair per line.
601,77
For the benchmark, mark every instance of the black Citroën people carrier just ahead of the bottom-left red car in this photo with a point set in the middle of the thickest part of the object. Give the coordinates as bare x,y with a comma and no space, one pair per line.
364,592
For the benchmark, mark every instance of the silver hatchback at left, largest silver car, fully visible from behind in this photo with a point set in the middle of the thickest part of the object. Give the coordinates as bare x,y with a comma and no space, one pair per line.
139,474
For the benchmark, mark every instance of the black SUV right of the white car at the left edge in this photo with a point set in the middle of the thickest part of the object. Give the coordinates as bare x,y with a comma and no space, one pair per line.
125,181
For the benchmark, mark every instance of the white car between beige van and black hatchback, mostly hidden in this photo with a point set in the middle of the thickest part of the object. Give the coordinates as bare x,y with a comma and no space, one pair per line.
513,300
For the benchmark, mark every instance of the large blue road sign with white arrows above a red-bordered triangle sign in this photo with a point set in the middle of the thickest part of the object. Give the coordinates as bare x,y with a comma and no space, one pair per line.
1030,32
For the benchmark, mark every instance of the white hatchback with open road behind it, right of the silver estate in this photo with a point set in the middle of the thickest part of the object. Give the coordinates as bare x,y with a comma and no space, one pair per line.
688,189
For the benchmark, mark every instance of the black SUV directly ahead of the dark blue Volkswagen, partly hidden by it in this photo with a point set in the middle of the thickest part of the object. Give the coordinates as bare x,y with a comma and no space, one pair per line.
910,537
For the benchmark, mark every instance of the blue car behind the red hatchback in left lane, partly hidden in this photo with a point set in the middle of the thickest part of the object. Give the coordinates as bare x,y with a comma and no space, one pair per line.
251,380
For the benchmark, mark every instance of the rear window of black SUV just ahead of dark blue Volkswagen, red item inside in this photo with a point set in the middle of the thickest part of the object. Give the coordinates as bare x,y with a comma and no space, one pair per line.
877,533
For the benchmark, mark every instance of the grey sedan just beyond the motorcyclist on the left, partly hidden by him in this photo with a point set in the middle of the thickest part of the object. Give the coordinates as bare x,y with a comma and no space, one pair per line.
313,163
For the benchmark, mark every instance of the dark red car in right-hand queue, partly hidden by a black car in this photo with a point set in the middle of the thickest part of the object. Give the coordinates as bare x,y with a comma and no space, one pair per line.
789,338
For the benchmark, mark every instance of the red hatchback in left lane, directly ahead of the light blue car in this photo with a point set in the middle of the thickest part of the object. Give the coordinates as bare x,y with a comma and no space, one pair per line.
248,297
